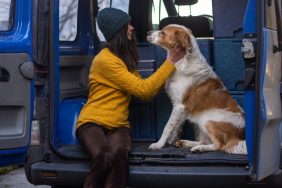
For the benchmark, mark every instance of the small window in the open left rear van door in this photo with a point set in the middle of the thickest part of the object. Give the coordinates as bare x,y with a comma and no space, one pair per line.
6,14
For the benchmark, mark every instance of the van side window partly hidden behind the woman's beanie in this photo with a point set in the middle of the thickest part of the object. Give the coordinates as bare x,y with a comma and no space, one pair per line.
119,4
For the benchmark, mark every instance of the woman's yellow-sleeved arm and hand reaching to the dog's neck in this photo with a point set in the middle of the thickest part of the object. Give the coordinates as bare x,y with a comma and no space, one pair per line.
113,71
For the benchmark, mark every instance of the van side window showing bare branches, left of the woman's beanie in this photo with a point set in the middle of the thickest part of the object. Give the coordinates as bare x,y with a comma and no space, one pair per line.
68,11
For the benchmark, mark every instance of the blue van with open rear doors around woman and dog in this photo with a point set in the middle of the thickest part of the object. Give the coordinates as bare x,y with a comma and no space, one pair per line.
46,49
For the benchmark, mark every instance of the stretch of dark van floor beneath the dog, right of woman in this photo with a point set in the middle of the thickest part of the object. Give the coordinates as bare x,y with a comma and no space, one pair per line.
173,155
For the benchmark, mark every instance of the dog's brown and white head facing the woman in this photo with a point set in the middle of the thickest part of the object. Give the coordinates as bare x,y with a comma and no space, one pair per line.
171,36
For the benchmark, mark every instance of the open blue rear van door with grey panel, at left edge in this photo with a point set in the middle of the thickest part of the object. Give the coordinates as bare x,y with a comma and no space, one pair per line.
16,75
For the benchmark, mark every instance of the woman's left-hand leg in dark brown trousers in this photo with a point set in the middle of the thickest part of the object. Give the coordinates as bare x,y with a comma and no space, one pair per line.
94,141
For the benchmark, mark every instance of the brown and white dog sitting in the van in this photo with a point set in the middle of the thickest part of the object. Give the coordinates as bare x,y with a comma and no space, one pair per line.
198,94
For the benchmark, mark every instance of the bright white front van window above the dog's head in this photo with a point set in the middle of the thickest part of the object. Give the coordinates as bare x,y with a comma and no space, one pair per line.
203,7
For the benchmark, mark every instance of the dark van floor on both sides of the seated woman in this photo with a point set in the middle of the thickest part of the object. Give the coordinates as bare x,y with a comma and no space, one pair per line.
167,155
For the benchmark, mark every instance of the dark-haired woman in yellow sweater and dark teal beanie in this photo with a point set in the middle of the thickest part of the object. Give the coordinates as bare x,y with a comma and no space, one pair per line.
102,127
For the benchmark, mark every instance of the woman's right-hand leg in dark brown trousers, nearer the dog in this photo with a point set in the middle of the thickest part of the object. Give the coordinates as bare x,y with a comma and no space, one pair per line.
120,142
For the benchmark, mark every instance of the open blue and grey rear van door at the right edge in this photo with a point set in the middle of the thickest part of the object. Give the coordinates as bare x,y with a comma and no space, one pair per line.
267,142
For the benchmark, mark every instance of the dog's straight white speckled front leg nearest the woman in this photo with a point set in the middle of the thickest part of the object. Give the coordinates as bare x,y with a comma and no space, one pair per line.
176,119
